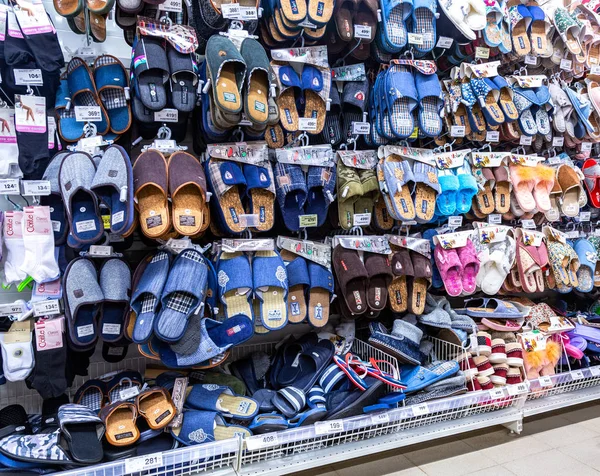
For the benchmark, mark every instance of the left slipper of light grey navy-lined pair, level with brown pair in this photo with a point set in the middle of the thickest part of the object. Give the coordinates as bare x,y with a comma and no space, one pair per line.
75,178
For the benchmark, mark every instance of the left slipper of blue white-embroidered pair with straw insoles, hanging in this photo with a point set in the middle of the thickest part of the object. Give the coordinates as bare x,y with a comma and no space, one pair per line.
234,276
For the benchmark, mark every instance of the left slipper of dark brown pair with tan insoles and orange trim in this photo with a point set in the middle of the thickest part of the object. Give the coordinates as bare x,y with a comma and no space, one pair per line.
151,185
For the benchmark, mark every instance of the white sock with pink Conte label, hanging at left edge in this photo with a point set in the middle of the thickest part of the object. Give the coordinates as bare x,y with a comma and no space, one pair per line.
39,262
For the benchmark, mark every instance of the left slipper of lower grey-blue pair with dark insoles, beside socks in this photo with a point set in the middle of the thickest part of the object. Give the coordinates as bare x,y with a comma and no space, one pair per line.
83,299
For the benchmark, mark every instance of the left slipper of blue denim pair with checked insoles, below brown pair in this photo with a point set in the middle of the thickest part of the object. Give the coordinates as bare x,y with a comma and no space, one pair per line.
146,295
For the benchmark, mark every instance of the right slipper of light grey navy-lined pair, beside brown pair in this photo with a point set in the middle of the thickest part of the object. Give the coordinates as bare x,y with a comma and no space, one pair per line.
113,185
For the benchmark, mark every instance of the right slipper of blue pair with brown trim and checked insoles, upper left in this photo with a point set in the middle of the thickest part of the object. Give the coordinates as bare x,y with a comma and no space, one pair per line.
111,80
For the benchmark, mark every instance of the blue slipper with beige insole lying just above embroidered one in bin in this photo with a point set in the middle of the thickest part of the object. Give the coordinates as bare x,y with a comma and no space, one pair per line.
211,397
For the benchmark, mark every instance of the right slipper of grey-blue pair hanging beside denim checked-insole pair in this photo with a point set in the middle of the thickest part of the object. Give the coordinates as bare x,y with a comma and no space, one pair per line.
115,282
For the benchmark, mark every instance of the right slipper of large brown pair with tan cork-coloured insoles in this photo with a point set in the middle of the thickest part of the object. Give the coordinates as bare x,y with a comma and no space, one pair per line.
187,187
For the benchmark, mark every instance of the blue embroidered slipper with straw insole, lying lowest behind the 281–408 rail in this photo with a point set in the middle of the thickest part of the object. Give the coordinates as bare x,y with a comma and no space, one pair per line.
204,427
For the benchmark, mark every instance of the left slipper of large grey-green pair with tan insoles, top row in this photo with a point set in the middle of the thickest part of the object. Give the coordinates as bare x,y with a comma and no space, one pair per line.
226,69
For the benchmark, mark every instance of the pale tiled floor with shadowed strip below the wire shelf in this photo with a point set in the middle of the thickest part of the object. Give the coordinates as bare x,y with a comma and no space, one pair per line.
559,443
